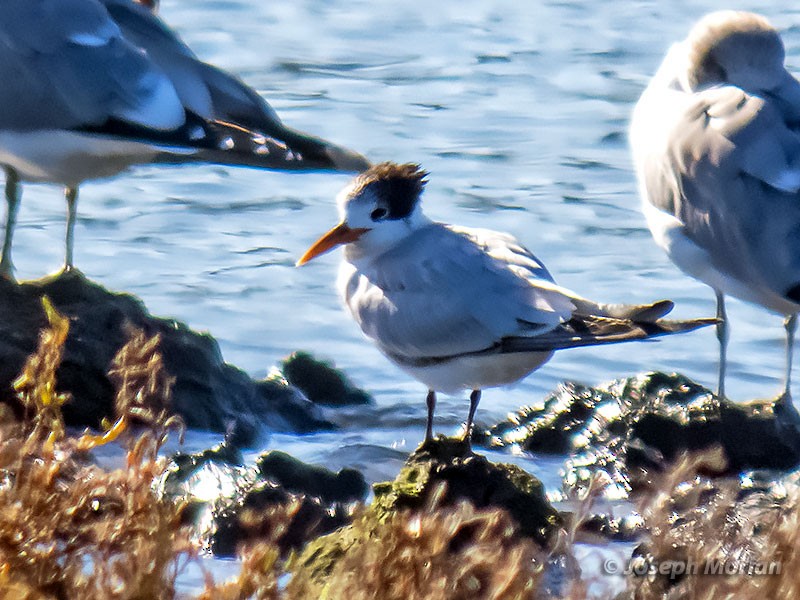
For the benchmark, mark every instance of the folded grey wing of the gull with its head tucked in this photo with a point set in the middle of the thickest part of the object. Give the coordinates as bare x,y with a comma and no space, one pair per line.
730,173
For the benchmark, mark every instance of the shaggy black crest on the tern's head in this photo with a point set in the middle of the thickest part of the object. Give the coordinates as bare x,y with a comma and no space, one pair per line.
397,187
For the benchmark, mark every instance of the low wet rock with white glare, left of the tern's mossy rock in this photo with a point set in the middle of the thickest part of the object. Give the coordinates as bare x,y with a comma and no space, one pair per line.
279,499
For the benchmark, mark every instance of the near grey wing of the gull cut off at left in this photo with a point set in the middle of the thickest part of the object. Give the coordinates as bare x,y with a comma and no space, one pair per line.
64,64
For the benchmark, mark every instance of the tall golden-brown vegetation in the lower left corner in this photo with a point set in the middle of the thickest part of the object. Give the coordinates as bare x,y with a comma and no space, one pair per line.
69,529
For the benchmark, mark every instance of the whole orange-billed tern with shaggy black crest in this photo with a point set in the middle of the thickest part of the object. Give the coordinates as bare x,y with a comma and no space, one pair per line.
458,308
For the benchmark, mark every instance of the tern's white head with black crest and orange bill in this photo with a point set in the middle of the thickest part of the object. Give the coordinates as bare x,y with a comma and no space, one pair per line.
377,210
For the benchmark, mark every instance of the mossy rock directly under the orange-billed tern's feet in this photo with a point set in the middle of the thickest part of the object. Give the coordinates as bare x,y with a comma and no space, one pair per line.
440,474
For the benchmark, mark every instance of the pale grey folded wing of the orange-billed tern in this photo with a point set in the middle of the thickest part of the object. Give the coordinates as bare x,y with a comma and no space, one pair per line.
443,292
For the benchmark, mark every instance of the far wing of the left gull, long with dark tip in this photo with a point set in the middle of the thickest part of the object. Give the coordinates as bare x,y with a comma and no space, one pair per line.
215,94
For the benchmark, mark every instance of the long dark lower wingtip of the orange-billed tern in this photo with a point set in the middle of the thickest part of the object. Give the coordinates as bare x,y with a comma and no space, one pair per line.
593,330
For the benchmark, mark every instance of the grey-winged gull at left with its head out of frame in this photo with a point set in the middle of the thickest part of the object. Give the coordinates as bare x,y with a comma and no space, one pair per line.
93,87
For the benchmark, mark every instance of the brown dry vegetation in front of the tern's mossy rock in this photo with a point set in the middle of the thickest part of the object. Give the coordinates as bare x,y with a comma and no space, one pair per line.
434,553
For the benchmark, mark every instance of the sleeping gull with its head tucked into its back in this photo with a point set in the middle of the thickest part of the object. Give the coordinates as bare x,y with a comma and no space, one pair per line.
717,153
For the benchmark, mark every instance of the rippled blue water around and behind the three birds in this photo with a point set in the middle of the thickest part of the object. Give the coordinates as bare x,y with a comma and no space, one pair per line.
518,109
